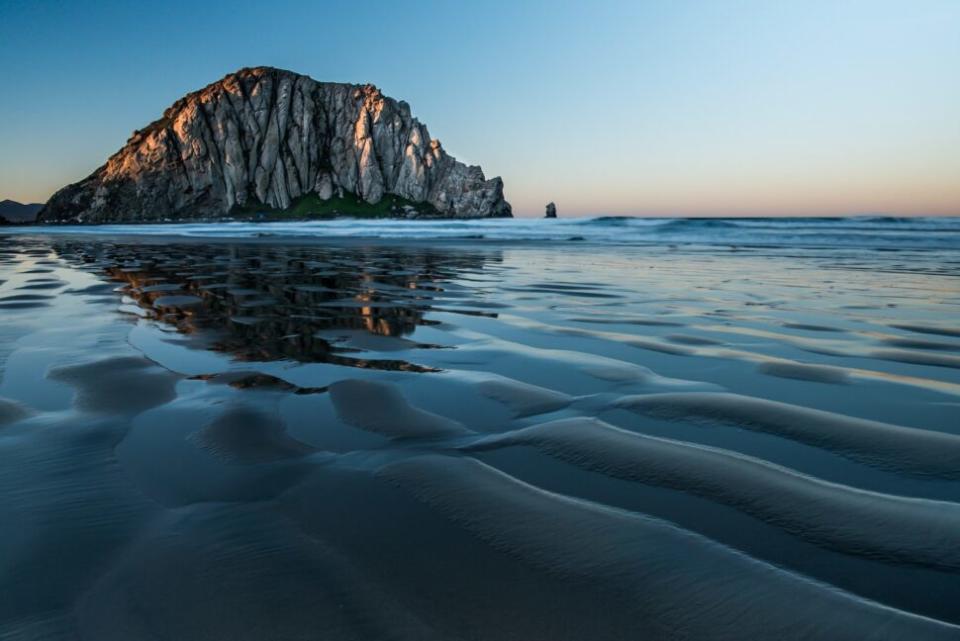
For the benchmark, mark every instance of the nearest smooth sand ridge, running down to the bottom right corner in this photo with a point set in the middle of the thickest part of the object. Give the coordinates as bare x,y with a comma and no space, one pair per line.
723,594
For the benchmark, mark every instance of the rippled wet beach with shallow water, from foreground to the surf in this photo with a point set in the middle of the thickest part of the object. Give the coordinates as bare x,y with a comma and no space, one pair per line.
364,440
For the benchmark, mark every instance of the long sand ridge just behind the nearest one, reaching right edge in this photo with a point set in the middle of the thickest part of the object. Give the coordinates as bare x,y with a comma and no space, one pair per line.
890,528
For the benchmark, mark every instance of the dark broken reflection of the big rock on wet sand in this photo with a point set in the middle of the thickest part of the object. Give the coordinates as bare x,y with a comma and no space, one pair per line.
274,303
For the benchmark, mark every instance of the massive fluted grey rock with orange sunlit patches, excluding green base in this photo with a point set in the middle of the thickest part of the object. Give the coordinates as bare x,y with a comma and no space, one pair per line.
265,137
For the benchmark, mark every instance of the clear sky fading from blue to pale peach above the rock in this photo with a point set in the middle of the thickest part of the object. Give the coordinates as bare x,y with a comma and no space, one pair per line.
609,107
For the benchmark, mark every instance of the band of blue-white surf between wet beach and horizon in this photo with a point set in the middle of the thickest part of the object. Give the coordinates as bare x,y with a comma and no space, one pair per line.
884,233
